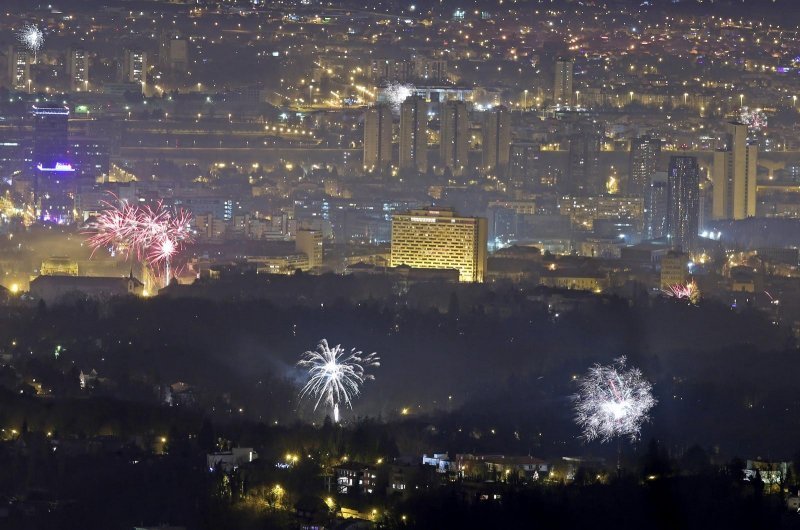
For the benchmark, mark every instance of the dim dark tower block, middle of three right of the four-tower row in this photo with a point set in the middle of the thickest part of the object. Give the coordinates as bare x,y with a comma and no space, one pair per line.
583,169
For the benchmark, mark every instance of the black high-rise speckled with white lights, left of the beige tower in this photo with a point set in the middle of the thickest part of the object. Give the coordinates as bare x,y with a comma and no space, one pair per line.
683,201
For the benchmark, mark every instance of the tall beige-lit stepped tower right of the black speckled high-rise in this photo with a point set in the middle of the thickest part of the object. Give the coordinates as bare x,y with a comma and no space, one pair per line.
734,175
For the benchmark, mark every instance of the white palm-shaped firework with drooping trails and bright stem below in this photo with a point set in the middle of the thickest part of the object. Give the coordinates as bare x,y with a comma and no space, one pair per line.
335,376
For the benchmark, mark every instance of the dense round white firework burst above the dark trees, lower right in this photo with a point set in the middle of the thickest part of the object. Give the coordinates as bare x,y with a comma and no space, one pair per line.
613,401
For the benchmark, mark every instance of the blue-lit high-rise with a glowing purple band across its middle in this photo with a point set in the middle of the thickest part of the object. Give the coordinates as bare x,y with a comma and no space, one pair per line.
53,172
